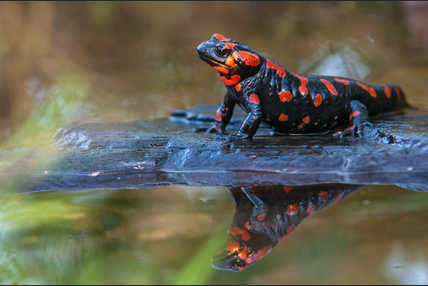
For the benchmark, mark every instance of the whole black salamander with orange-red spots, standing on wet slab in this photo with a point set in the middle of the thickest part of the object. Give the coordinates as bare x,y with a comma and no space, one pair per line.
288,102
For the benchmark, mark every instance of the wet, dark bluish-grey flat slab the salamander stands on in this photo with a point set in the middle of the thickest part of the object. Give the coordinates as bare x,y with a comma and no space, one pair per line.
143,154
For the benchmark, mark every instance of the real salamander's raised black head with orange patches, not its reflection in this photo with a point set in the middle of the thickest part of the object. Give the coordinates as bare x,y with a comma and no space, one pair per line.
233,61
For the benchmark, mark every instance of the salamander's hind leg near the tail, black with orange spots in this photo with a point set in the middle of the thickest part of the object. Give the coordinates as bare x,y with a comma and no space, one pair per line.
358,120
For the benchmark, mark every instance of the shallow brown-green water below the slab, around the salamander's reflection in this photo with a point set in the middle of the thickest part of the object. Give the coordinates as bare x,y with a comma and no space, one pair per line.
376,235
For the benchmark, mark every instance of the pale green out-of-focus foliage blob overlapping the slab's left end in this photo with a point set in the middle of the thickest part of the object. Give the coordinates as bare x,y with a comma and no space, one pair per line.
32,143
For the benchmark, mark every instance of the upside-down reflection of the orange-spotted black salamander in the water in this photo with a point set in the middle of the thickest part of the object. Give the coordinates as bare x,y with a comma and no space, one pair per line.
266,215
